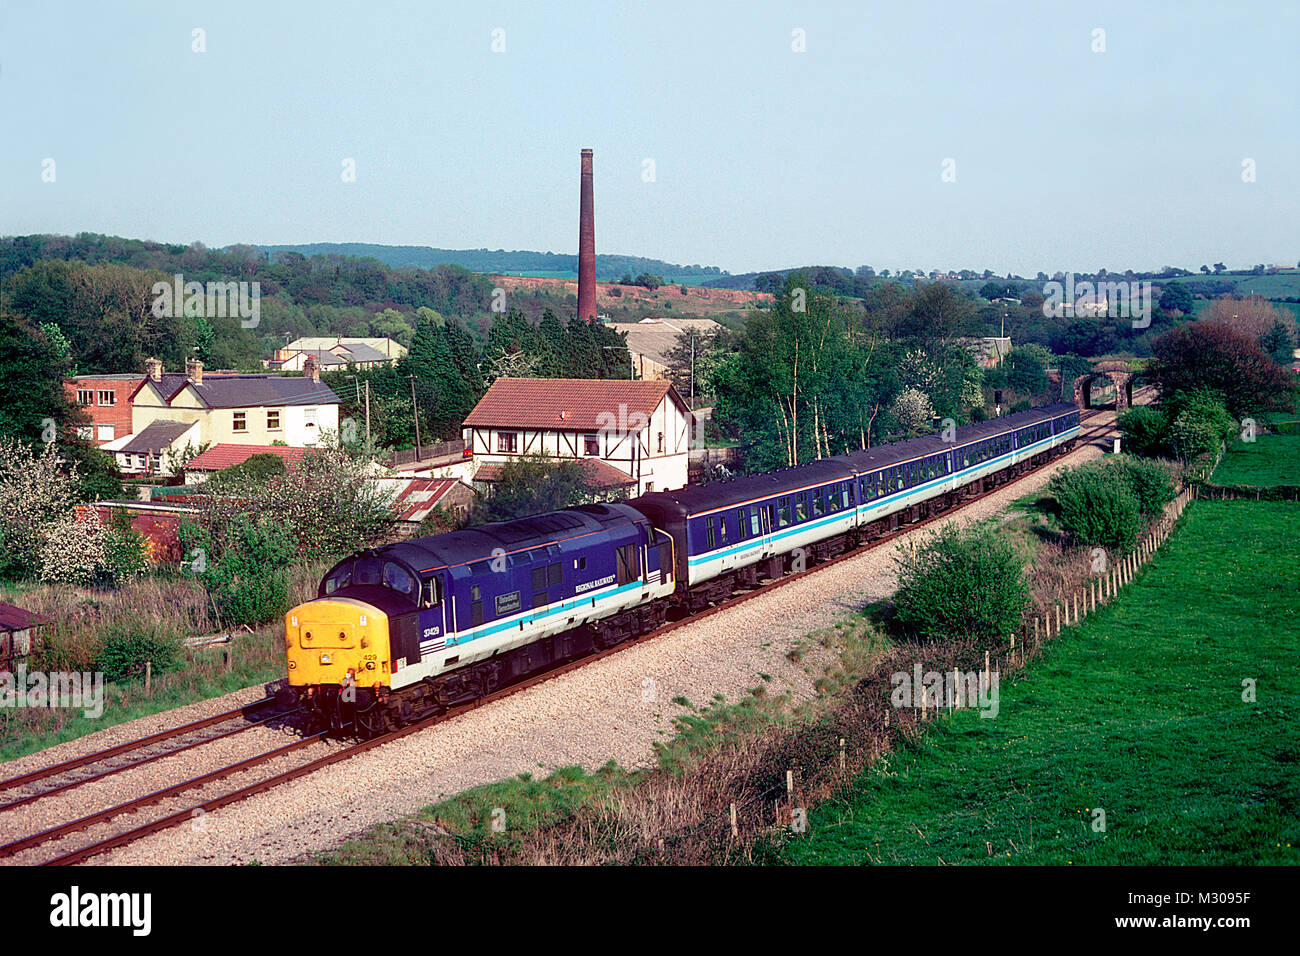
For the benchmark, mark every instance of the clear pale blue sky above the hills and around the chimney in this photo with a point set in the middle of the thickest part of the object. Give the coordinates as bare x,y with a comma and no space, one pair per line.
765,158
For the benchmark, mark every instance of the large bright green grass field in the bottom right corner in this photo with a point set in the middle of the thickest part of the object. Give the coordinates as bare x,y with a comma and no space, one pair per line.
1138,712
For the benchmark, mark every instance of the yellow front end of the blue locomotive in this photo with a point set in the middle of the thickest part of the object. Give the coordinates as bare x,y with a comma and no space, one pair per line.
339,659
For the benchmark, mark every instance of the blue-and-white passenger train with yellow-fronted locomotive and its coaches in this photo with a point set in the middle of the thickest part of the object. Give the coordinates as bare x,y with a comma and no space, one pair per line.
410,630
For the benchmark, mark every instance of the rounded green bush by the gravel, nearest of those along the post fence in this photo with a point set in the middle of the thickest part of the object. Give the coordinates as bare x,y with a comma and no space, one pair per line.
961,583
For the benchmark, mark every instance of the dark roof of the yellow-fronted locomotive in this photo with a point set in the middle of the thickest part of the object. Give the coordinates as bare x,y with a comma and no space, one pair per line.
475,544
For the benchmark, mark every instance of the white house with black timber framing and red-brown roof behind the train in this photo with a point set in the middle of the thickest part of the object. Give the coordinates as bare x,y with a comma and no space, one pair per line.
631,434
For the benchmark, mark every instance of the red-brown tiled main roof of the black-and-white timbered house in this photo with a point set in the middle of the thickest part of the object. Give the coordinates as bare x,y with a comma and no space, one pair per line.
570,404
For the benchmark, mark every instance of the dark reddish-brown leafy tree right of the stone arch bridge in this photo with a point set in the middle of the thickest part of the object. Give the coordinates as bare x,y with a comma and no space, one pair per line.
1212,356
